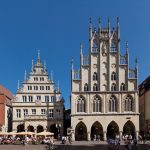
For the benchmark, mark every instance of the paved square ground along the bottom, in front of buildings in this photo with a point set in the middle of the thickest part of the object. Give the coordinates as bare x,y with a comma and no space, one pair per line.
84,145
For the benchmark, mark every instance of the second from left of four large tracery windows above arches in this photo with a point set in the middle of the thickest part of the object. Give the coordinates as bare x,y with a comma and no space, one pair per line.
97,104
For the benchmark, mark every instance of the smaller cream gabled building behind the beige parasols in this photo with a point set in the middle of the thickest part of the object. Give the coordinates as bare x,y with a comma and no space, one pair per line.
38,105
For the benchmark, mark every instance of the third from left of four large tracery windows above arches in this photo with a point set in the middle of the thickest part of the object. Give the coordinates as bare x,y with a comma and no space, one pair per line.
113,104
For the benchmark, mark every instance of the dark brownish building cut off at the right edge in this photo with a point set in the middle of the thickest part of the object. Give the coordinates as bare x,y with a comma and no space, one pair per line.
144,103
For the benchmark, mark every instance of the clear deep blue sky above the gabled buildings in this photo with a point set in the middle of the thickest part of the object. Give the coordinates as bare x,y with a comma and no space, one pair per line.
57,27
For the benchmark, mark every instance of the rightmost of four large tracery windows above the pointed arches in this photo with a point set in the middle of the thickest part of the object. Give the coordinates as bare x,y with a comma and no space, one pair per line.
128,103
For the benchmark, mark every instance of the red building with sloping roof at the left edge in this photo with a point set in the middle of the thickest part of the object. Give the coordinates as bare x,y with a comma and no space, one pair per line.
6,99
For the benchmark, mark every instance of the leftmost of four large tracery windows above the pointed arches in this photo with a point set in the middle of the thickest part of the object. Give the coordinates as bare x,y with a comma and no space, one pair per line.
80,104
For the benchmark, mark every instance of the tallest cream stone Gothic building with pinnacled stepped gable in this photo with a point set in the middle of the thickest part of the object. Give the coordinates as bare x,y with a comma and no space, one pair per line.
104,91
